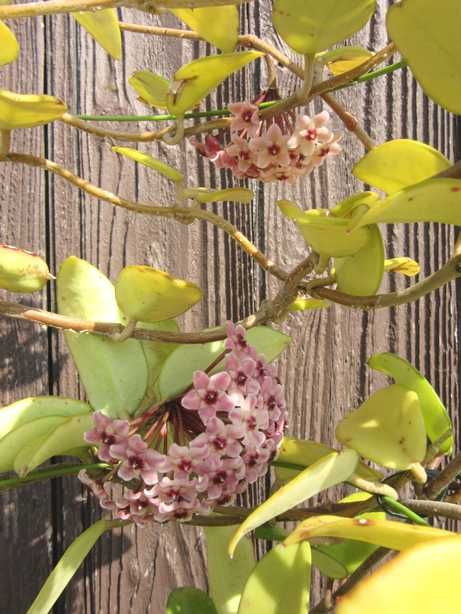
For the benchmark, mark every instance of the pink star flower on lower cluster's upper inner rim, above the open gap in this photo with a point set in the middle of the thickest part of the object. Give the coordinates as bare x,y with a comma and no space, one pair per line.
208,394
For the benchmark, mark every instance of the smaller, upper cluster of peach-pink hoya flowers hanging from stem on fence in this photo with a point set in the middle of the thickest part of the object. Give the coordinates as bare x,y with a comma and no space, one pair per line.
282,148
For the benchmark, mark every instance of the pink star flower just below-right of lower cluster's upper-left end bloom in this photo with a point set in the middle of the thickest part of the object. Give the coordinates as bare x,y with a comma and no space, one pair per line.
138,461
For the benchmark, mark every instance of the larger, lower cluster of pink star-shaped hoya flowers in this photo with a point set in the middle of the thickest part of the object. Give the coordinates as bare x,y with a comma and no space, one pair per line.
226,428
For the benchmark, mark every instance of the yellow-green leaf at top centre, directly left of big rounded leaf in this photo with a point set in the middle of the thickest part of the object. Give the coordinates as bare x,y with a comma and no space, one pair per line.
219,25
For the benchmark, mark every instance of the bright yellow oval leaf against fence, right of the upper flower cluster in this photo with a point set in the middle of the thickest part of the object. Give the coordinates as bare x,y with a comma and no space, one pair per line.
395,165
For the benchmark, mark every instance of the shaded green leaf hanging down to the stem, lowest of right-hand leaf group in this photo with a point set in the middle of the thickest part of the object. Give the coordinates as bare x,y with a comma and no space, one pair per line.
361,274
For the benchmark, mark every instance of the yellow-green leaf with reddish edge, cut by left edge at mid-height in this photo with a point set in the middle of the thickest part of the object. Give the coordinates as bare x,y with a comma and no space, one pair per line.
22,271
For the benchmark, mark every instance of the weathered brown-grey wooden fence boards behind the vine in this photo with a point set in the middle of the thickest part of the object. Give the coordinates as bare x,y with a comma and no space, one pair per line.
324,369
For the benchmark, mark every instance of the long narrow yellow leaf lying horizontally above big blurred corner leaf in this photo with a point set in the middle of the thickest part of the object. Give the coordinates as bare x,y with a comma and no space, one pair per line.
386,533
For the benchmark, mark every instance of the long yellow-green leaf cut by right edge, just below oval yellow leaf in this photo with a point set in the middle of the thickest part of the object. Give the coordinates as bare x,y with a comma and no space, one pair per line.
434,200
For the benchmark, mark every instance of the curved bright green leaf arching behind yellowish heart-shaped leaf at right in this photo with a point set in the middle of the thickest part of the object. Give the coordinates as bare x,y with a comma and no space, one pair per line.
436,418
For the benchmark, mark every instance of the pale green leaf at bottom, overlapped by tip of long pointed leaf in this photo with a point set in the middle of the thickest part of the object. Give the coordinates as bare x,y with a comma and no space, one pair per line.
227,577
